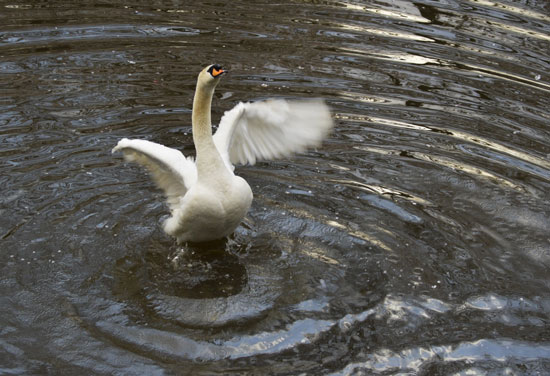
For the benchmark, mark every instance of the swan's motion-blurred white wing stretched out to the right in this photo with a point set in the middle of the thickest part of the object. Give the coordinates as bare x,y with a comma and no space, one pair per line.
271,129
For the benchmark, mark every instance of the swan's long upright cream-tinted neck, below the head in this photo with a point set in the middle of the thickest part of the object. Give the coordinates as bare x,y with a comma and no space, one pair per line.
209,161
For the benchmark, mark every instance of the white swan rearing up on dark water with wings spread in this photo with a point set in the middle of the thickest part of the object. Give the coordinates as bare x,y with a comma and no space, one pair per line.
207,201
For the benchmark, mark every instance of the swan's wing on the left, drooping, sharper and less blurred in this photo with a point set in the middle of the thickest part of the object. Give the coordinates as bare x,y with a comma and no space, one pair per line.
171,171
